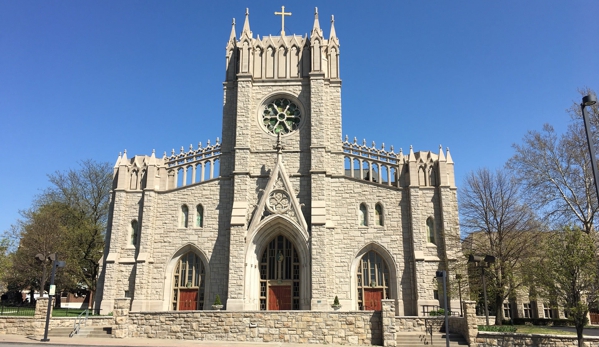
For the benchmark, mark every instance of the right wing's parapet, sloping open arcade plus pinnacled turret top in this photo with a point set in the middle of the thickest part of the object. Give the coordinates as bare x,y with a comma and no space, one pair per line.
378,165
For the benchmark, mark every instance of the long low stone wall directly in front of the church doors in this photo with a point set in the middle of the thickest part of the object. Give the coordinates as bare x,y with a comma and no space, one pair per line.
355,328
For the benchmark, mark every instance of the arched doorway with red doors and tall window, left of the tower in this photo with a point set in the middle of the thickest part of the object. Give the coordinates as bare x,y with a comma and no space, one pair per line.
188,283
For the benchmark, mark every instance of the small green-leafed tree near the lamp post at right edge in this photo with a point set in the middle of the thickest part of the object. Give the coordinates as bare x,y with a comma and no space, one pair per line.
568,274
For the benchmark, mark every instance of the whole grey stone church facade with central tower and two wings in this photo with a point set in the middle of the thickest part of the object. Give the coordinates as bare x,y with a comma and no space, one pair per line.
283,213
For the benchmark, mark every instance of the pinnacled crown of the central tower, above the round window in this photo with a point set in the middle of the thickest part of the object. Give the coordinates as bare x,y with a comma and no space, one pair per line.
284,56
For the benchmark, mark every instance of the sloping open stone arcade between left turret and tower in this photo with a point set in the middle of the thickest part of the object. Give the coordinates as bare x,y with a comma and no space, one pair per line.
193,166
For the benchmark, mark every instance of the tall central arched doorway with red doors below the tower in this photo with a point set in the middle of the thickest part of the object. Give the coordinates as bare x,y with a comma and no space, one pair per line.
280,276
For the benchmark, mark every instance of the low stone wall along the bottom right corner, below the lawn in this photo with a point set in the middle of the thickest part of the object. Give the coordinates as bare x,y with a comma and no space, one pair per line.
485,338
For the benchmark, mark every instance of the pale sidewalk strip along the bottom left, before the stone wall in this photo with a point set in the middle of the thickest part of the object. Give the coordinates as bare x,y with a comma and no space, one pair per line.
85,341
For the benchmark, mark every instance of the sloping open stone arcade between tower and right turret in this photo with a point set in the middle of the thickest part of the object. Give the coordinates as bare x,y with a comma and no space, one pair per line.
372,164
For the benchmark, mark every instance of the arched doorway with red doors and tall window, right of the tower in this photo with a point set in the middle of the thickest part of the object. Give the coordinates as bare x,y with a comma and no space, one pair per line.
372,281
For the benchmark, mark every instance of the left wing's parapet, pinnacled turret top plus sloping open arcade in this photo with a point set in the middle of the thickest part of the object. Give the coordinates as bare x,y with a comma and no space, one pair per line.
169,172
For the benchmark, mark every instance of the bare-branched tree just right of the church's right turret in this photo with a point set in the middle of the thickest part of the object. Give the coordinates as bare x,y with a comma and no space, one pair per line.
498,224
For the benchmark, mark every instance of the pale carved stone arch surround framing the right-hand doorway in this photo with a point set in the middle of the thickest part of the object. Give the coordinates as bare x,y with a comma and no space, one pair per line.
393,268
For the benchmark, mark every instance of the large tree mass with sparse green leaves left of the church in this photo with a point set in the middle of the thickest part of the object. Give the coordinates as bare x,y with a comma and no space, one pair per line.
70,219
